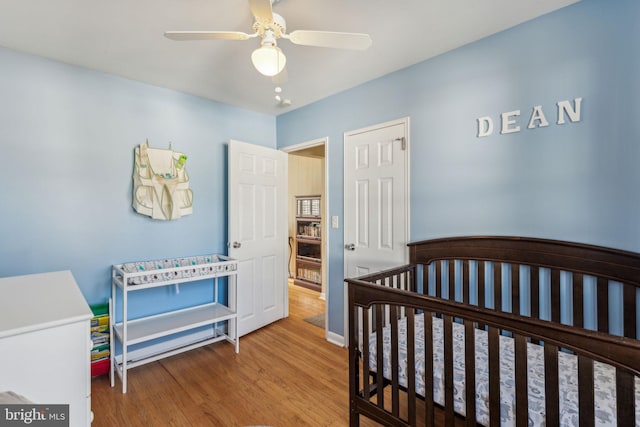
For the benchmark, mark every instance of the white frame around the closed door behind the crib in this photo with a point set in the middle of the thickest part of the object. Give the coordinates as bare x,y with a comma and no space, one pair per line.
402,121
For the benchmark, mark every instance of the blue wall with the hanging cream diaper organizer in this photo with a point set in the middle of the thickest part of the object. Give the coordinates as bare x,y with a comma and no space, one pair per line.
67,136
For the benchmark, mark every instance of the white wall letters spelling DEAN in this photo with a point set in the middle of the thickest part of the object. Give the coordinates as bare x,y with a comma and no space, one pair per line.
509,122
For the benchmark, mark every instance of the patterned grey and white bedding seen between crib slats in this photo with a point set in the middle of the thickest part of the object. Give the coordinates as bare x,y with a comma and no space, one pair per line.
604,376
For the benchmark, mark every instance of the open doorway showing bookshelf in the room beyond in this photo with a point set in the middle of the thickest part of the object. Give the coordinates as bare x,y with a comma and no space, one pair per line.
308,234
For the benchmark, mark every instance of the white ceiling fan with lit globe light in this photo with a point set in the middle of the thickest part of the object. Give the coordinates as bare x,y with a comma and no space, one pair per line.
268,58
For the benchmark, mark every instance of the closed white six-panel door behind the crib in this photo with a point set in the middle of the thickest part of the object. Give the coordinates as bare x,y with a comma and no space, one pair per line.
376,198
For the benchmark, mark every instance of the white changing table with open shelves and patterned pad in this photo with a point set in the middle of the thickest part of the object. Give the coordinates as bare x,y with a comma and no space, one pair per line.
138,276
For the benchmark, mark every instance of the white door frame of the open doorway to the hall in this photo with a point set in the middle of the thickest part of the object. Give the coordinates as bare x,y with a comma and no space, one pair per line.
325,212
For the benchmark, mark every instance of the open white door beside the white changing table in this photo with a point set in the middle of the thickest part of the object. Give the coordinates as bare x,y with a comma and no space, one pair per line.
257,232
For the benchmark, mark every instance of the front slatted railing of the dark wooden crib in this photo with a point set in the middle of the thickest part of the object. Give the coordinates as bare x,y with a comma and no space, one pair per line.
478,296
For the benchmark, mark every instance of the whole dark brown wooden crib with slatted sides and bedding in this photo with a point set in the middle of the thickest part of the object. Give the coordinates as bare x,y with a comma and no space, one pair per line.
542,331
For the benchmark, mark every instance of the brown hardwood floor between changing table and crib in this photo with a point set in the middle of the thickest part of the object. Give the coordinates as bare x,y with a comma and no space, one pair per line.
286,374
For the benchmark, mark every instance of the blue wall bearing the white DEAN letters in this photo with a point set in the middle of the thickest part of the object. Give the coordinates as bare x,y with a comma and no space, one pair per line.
578,181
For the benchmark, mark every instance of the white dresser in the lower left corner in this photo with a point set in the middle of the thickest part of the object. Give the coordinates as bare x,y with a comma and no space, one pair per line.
45,342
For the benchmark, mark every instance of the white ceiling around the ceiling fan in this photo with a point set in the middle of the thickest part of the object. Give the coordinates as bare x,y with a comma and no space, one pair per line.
125,38
